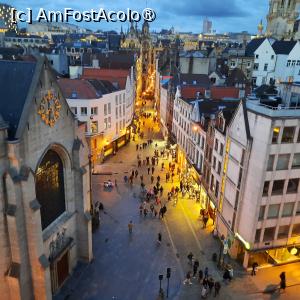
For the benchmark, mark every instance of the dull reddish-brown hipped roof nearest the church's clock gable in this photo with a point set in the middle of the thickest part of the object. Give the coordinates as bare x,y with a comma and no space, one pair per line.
83,88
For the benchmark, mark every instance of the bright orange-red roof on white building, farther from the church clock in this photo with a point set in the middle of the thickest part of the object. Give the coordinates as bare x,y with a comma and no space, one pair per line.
112,75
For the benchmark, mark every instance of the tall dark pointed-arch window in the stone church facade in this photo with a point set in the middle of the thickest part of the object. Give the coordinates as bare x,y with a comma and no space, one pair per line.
49,187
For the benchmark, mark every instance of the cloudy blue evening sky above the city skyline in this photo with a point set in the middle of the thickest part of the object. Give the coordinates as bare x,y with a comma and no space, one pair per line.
184,15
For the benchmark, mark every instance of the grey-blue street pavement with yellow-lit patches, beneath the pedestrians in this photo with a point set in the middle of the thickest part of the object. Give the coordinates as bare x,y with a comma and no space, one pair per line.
127,266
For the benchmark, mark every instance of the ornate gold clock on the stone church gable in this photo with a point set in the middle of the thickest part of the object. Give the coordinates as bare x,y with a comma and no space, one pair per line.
49,108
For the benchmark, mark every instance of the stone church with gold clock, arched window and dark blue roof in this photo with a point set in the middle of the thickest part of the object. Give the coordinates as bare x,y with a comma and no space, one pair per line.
45,221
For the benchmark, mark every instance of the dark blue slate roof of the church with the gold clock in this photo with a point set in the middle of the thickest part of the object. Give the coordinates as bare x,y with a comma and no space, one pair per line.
15,82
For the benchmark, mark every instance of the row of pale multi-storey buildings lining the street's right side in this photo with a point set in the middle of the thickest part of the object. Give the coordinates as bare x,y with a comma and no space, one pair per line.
244,158
